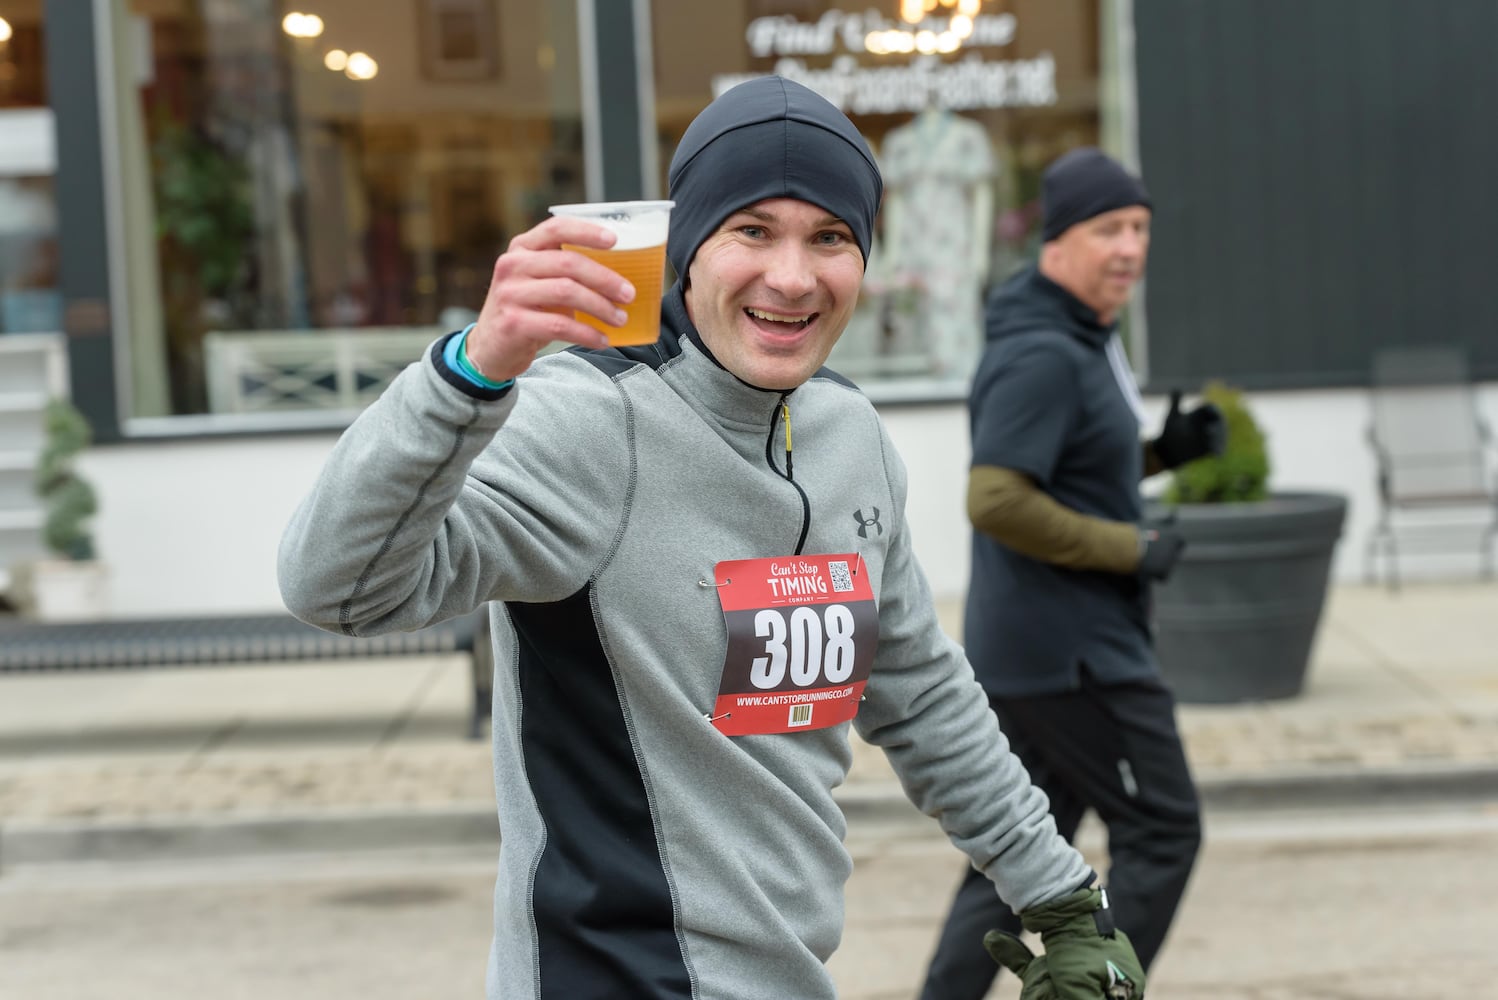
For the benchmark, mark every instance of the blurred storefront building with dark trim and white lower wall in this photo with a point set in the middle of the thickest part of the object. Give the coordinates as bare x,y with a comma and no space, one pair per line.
231,222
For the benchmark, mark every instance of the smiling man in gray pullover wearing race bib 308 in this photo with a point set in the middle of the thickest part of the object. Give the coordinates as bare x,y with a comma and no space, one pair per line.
685,624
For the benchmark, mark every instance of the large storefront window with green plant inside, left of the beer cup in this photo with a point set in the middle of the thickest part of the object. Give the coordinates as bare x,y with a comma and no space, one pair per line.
312,195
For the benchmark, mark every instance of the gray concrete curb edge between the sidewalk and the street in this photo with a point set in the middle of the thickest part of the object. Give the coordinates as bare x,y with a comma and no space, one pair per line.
476,826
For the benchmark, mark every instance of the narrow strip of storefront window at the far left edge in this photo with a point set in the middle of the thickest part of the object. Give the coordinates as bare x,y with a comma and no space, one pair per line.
29,299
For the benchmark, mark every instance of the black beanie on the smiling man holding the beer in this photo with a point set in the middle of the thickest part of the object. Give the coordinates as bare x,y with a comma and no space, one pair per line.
769,138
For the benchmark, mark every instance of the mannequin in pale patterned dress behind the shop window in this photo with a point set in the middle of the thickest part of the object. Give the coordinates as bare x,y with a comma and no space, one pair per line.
938,221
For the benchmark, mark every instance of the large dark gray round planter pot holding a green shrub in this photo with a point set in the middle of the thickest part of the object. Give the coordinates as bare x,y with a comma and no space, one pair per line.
1238,618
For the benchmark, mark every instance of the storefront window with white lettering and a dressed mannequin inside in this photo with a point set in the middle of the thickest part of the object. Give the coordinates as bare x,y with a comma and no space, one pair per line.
964,103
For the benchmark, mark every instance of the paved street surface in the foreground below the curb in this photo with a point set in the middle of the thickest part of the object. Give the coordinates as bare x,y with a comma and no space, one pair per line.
1331,906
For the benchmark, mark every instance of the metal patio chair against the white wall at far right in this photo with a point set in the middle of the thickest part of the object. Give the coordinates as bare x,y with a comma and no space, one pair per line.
1433,450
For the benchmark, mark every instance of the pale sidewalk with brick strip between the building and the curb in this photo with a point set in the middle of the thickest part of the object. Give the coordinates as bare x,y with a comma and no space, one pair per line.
1401,700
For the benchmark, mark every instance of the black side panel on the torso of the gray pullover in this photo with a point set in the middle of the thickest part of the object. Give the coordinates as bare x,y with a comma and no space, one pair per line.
606,923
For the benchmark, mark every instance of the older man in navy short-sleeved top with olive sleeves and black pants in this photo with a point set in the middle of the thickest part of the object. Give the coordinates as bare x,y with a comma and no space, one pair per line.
1058,607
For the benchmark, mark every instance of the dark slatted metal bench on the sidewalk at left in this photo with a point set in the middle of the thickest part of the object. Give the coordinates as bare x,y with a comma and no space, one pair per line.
136,644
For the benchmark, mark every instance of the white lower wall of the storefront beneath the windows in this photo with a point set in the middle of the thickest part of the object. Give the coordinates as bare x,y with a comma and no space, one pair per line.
192,528
